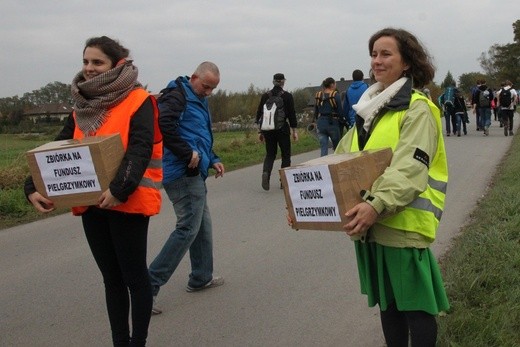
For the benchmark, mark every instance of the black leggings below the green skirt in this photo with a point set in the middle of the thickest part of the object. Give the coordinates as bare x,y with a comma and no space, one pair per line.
421,326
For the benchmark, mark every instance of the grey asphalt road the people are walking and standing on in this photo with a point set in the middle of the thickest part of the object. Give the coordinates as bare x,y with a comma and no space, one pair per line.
283,287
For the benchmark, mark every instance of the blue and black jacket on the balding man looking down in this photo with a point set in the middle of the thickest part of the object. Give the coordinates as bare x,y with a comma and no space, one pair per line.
185,123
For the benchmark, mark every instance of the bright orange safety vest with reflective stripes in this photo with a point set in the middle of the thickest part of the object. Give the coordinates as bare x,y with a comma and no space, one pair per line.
146,199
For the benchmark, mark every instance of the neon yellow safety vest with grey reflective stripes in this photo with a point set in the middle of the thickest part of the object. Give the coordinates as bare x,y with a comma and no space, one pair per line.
424,213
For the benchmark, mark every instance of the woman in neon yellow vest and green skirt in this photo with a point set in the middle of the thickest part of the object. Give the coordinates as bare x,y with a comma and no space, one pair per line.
394,226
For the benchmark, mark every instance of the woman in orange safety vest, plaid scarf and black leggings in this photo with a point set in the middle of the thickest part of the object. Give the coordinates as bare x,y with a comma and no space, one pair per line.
108,100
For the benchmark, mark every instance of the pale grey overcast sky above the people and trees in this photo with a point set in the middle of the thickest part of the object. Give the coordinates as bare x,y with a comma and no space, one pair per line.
41,41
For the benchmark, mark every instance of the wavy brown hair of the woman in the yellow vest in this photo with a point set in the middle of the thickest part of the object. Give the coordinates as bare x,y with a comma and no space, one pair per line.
414,55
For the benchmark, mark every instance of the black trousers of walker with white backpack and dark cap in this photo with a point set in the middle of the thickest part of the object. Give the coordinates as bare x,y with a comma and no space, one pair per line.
274,139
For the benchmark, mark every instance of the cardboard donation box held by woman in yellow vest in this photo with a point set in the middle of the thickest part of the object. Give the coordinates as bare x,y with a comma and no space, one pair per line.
320,191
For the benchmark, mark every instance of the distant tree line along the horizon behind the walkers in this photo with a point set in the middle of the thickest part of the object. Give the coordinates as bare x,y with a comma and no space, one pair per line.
499,63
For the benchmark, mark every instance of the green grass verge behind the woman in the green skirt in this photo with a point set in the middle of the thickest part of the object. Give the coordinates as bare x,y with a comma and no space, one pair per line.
482,268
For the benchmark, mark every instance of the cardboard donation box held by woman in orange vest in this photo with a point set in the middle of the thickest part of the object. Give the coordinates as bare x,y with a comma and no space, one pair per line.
75,172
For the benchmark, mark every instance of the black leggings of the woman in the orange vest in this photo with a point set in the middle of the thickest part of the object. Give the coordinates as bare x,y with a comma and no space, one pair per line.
118,242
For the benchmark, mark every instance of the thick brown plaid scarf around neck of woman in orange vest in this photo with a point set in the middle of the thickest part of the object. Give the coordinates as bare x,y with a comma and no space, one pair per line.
93,98
